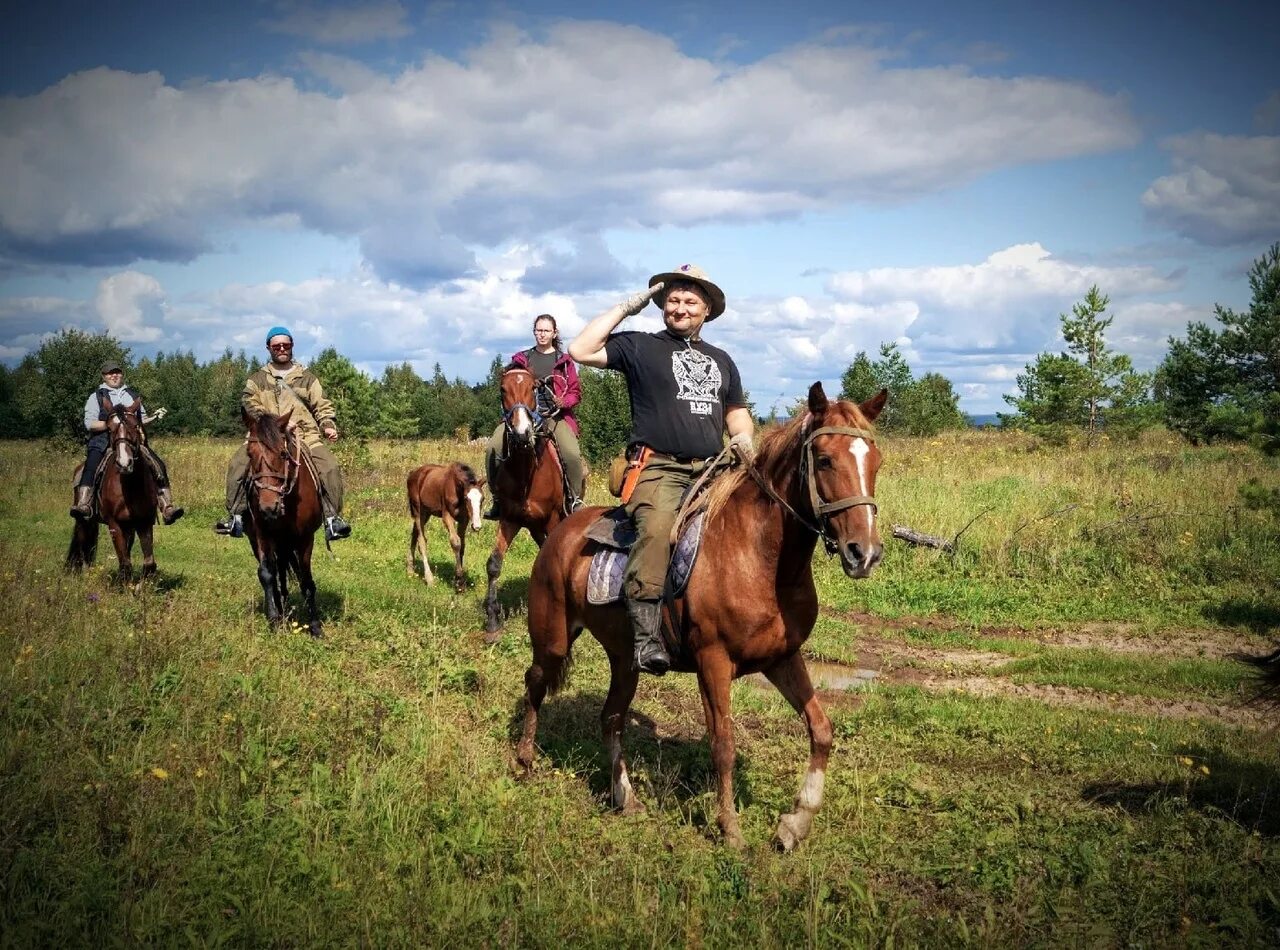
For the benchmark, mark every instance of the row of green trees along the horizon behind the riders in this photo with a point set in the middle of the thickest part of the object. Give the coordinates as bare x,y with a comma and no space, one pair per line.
1219,383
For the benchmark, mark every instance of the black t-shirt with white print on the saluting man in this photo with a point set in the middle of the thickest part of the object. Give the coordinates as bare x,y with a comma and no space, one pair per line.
679,391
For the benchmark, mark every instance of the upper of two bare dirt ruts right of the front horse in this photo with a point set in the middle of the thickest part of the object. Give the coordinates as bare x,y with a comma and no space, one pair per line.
1117,638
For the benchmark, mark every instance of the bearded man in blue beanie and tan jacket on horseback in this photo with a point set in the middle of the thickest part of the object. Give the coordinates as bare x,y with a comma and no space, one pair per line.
277,389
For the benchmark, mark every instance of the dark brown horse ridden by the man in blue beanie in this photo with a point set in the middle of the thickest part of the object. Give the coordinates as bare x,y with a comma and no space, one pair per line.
284,514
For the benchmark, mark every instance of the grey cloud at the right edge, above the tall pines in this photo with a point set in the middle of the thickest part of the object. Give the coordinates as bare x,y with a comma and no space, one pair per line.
1226,190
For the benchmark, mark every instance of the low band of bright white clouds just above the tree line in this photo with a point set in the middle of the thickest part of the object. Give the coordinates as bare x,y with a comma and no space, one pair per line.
943,318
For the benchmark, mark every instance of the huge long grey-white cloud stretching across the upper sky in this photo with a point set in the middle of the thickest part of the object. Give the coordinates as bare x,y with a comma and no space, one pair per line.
523,139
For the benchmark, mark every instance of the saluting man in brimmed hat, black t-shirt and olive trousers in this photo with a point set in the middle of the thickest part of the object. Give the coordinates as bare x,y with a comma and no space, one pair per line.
685,395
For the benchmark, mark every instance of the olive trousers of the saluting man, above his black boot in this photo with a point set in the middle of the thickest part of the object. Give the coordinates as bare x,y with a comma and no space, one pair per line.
655,504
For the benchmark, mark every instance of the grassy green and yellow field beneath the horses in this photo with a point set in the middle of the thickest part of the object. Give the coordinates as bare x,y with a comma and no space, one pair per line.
1049,746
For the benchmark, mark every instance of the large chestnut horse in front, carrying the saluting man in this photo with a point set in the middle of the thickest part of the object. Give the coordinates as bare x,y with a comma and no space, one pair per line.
749,605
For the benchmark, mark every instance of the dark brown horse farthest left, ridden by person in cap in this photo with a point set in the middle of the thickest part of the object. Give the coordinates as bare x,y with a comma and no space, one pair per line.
126,499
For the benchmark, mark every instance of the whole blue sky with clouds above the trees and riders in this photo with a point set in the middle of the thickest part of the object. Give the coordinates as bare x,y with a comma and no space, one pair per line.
419,181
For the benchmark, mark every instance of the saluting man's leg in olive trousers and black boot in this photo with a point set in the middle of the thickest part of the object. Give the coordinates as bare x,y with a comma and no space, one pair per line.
653,508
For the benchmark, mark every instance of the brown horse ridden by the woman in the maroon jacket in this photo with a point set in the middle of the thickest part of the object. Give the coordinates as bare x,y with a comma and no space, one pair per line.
528,486
